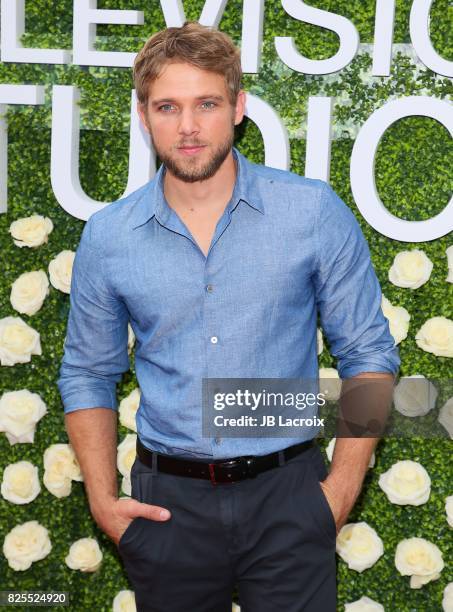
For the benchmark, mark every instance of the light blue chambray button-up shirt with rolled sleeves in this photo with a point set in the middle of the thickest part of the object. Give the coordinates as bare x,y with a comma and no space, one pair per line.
284,247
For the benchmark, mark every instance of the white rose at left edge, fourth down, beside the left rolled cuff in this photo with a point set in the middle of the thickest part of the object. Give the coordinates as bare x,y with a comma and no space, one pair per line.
19,413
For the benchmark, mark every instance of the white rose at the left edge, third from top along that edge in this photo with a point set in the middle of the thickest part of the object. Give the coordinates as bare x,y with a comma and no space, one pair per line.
18,341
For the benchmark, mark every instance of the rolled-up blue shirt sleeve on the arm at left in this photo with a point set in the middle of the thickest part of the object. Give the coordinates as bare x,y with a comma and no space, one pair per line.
95,348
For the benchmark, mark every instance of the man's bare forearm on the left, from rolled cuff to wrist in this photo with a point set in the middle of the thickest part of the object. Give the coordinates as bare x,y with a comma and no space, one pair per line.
93,435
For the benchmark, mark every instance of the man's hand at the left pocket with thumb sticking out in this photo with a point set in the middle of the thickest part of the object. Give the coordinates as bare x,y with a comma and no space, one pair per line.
115,515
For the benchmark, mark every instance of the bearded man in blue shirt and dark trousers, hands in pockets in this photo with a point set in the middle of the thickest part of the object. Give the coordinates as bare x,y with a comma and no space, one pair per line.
220,265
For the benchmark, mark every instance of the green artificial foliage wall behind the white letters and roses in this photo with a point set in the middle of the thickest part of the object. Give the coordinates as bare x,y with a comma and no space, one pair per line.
413,177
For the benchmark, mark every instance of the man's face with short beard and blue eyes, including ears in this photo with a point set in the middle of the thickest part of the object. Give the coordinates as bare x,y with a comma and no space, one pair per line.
191,120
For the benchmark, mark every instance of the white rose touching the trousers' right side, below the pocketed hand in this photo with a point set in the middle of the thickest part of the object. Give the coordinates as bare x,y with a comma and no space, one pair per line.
359,545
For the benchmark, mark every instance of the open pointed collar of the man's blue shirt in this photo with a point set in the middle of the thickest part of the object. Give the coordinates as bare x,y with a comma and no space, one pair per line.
152,201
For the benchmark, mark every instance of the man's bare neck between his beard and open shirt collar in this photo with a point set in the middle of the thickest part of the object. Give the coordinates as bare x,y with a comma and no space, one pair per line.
214,191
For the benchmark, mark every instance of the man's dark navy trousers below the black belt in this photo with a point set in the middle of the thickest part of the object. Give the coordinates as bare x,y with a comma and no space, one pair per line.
272,536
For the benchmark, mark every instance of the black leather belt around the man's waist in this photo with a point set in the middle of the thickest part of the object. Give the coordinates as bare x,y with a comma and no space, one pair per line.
223,470
